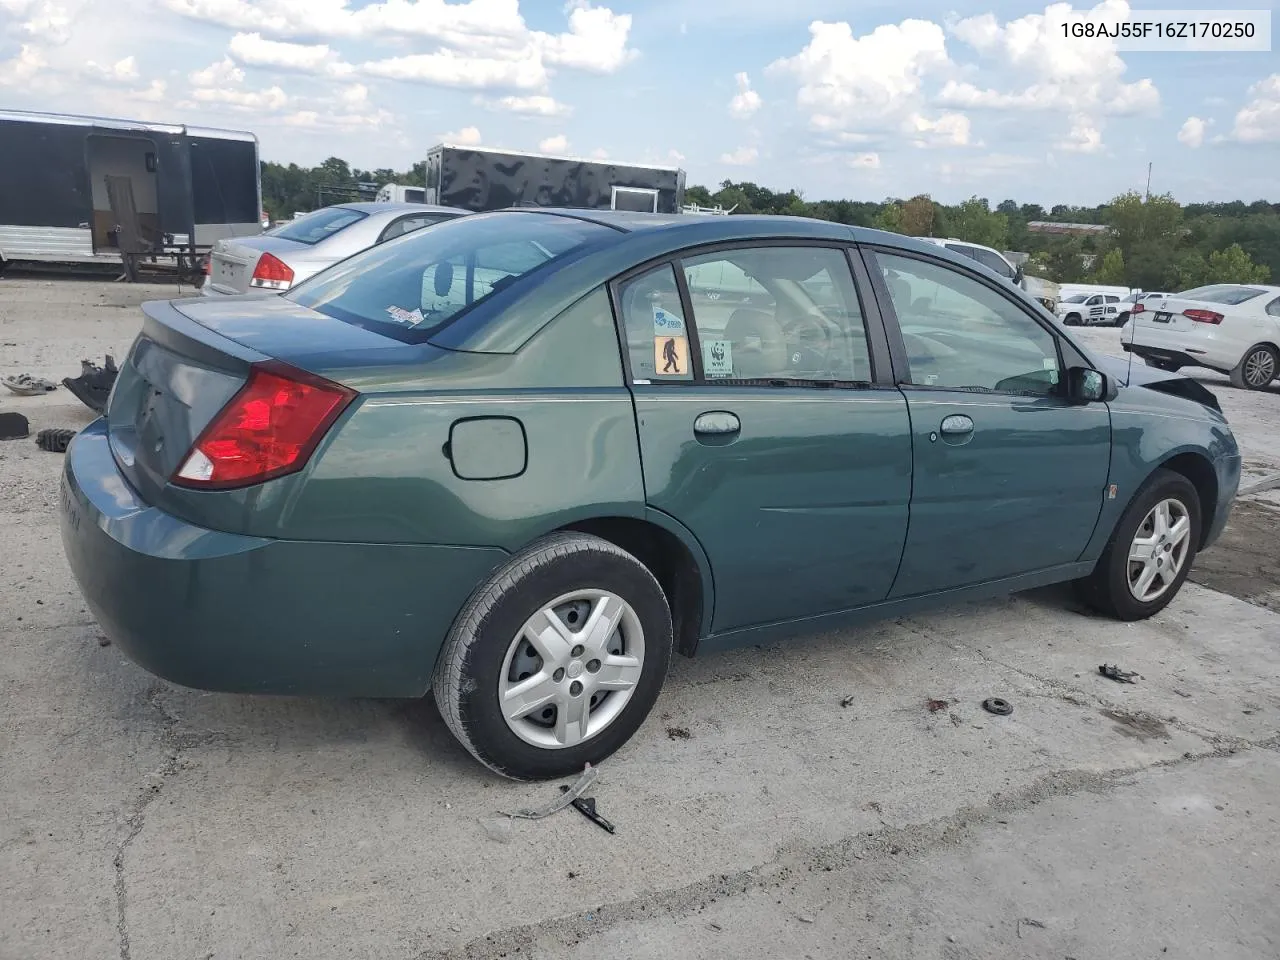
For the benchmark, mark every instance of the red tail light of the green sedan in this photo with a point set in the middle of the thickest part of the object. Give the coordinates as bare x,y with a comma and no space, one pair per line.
269,429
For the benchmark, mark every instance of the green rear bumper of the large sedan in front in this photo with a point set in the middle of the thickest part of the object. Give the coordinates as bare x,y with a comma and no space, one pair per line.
220,611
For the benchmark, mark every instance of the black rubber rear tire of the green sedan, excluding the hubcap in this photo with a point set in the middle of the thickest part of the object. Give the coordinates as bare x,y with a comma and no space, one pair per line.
486,653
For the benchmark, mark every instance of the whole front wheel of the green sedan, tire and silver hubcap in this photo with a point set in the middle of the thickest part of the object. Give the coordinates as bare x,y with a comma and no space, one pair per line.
1151,551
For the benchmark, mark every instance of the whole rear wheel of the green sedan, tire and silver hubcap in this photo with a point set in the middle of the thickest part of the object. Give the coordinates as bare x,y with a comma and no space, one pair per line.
557,660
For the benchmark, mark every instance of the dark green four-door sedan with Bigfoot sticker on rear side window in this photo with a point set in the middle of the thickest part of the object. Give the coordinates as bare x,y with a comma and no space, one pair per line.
520,459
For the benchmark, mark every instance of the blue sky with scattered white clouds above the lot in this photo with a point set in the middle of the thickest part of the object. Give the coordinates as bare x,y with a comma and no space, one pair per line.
853,99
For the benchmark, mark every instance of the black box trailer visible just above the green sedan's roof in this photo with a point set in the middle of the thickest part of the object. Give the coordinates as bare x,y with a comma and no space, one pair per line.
478,179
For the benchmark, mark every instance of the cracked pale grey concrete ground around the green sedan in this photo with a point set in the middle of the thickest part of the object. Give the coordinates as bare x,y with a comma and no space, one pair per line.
799,801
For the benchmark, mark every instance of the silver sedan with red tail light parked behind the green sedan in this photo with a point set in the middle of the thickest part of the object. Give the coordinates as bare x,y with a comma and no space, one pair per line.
300,249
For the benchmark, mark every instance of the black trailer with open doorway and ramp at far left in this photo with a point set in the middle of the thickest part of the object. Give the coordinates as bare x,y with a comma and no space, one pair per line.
79,190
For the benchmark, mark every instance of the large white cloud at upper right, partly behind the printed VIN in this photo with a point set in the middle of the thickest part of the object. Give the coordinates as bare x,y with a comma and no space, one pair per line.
1039,70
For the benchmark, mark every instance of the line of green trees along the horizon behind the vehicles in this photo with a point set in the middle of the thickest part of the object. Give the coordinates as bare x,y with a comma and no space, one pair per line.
1151,243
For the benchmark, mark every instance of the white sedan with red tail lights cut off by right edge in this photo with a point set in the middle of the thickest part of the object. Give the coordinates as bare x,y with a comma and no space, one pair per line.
1228,327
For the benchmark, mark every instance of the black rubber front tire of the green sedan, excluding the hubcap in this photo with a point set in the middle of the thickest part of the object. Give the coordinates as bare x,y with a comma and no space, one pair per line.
1108,589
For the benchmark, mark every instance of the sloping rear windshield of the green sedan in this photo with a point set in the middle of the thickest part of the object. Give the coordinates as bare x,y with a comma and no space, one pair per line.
412,287
